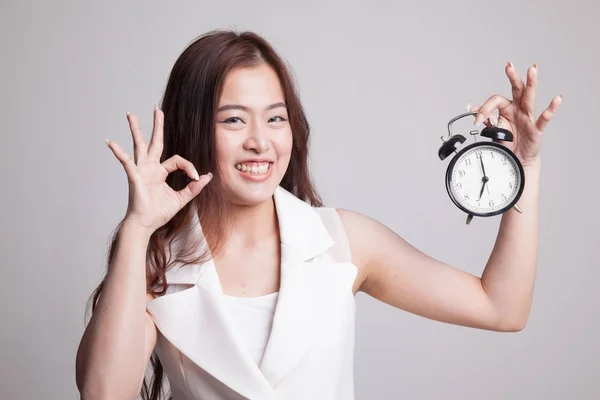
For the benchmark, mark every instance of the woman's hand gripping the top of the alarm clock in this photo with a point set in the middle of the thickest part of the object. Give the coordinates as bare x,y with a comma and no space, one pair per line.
518,115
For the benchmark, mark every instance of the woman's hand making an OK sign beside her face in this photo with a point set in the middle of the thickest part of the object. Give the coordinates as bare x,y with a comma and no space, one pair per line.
152,202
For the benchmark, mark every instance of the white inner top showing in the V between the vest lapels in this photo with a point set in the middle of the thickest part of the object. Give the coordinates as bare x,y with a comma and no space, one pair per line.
252,318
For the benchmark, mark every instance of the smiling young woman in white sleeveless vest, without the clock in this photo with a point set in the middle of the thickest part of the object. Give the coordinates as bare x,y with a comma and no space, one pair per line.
229,275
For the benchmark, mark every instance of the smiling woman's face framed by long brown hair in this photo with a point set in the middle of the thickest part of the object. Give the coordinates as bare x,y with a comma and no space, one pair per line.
253,135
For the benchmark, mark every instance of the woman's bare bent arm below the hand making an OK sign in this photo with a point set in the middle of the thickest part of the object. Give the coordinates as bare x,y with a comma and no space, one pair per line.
120,337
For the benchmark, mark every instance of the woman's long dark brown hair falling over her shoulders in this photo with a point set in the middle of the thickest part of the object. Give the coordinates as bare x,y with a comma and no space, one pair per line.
189,103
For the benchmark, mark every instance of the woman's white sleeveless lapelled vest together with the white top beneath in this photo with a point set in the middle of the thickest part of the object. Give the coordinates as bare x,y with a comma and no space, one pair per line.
301,349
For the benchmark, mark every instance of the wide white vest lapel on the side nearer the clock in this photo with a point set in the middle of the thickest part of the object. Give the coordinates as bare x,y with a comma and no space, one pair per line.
297,315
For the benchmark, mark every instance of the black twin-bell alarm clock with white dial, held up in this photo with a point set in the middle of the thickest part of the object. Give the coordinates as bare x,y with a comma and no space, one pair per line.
484,178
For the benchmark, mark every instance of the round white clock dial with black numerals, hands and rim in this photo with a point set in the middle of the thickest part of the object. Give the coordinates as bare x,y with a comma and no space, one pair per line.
485,179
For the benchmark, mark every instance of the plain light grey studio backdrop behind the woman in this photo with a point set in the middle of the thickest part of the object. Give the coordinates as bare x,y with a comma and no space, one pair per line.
379,81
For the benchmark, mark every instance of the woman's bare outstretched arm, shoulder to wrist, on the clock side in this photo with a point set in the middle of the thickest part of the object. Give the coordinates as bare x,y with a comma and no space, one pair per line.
393,271
